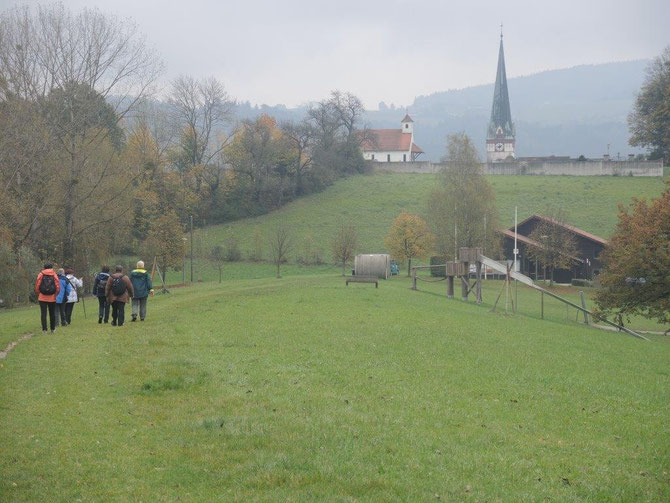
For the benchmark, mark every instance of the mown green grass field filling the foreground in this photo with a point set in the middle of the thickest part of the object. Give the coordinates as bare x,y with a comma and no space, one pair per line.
302,389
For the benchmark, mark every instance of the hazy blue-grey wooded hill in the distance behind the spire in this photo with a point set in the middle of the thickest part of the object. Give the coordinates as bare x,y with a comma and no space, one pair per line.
572,111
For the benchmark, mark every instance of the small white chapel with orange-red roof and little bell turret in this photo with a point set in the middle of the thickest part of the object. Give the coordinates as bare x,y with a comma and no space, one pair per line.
392,145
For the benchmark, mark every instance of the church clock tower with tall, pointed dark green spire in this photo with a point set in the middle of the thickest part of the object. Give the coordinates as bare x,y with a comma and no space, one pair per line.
501,135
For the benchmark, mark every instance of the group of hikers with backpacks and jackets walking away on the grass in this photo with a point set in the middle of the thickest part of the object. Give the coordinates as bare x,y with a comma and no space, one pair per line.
57,294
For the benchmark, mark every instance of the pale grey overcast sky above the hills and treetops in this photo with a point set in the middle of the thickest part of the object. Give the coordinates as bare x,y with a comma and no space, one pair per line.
292,51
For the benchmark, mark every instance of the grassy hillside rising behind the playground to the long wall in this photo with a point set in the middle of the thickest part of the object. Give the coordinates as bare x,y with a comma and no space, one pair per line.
372,202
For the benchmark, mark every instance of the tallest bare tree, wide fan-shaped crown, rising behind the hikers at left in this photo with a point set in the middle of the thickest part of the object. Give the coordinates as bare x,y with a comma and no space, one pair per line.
86,72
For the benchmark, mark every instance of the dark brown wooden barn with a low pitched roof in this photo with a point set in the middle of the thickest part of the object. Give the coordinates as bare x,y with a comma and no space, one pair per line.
585,264
